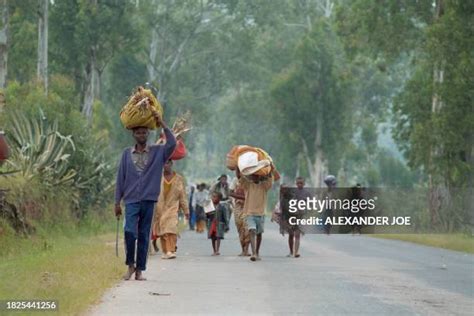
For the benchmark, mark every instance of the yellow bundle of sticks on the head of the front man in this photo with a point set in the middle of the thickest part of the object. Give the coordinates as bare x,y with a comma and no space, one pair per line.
139,110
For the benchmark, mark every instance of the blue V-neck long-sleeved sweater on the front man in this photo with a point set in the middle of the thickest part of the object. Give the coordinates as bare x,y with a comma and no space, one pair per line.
134,186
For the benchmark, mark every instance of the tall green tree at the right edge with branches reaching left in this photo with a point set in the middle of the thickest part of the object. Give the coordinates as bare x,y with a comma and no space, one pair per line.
433,111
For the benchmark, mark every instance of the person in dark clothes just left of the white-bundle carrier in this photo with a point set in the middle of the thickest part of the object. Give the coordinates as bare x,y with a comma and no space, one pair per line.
216,223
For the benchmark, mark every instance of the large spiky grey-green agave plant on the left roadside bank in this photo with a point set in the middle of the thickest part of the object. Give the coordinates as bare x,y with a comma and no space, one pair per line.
39,150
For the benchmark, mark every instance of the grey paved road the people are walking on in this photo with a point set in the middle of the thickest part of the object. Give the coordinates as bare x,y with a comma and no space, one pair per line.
336,275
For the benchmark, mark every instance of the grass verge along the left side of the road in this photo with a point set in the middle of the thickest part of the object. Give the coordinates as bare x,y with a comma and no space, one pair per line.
74,269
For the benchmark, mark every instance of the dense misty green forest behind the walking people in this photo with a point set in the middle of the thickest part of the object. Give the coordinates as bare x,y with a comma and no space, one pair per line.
375,92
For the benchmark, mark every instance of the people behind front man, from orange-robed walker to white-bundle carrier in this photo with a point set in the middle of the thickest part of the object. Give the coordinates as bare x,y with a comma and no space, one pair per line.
212,210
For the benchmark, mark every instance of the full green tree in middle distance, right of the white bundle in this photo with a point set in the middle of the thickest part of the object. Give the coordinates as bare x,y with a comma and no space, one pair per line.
312,98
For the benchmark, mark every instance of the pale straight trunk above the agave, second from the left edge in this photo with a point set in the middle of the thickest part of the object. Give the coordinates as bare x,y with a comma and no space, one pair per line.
42,66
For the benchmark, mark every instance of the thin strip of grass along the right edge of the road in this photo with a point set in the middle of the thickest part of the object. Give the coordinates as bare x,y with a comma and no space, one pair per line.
458,242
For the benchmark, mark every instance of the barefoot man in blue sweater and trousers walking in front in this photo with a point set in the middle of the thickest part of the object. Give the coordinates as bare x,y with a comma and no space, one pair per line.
139,185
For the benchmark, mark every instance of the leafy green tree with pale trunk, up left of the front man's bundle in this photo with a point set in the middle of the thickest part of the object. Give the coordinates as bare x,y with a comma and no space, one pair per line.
91,33
